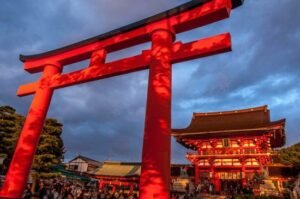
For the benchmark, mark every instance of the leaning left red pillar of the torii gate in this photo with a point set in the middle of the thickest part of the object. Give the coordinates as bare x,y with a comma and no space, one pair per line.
16,177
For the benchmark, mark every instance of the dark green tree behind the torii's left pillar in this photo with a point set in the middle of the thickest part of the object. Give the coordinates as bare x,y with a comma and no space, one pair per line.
50,149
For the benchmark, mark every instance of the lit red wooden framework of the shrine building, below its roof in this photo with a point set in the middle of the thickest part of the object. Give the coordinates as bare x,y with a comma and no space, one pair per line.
239,152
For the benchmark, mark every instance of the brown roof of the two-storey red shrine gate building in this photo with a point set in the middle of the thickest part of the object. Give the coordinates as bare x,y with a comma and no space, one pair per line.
232,123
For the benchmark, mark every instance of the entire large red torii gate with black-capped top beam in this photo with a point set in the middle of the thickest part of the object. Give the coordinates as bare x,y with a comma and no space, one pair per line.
161,30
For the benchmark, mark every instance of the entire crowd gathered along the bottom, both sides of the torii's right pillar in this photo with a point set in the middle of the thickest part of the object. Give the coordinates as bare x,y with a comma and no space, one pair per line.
69,189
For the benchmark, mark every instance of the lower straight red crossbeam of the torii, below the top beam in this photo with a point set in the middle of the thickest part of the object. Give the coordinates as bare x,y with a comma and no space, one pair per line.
180,52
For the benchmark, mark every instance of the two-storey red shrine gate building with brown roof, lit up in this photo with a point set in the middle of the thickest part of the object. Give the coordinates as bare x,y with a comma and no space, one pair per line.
231,146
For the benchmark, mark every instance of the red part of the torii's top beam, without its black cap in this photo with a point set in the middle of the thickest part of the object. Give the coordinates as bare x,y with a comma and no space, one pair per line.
210,12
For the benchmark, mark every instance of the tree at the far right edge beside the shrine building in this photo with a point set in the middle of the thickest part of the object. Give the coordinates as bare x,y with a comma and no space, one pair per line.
290,155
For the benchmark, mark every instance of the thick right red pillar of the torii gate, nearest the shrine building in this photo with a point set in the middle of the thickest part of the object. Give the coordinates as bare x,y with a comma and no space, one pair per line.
156,155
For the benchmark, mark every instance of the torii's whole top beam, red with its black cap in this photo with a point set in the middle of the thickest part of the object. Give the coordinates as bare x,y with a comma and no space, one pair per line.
182,18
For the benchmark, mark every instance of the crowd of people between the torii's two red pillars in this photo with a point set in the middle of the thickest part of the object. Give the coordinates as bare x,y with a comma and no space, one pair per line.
63,189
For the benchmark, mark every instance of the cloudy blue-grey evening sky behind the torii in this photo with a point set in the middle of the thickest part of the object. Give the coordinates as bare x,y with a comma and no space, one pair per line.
104,120
